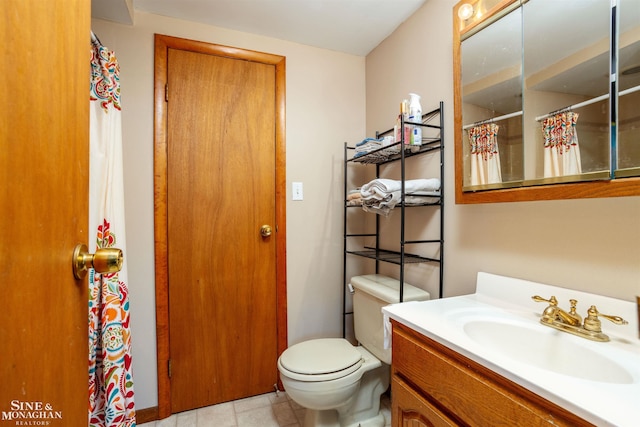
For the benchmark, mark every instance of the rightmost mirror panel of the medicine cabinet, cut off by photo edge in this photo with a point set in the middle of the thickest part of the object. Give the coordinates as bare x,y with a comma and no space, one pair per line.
628,125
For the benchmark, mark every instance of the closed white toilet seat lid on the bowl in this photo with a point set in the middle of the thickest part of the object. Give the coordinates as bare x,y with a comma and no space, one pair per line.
322,359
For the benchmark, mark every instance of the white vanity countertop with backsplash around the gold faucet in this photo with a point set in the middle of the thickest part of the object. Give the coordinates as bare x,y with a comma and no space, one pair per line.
601,400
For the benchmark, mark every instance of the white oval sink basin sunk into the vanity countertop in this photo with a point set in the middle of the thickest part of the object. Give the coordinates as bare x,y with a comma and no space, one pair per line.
545,348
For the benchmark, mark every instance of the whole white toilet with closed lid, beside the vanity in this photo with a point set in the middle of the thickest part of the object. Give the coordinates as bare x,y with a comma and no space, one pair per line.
339,384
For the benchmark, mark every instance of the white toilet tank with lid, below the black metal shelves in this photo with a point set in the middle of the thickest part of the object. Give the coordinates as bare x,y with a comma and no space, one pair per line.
371,293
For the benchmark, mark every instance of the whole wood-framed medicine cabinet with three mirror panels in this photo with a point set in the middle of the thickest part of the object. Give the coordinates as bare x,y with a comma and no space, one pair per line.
546,99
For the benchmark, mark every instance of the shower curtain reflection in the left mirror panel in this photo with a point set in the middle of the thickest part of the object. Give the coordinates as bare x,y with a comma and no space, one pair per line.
485,159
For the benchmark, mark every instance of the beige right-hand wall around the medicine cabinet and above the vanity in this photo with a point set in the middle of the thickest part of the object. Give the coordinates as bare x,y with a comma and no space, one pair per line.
590,245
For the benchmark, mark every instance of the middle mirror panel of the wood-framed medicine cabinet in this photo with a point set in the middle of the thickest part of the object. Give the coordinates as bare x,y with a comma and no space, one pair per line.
566,96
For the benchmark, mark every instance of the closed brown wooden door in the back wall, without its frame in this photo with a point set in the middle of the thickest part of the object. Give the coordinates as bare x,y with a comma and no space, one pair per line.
221,182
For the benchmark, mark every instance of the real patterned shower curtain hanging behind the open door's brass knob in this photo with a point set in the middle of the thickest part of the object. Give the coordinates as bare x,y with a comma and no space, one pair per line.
110,378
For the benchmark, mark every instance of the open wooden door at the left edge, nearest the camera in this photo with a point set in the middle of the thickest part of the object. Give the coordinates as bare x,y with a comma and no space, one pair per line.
44,161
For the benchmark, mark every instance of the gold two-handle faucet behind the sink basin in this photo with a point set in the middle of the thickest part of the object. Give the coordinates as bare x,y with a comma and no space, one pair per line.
572,322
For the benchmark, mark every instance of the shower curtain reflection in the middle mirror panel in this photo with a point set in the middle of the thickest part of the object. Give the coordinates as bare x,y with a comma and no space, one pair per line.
561,150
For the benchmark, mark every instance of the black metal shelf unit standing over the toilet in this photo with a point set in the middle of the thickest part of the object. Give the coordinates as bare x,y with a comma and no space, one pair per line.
379,158
